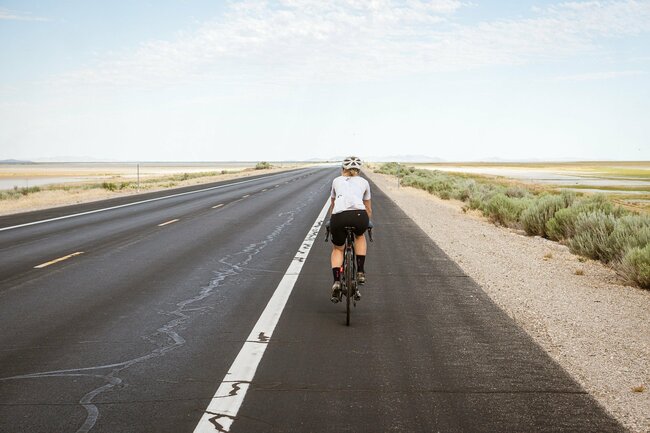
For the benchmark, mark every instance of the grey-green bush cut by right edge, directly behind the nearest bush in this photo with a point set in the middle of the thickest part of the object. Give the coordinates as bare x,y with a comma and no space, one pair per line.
629,232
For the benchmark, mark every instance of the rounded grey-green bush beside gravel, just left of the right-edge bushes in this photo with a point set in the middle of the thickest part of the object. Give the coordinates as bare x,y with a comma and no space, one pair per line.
592,231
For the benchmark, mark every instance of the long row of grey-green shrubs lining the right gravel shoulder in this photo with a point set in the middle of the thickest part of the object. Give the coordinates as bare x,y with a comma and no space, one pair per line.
592,226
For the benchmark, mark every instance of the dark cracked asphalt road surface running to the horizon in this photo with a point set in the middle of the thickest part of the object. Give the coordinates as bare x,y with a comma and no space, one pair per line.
138,327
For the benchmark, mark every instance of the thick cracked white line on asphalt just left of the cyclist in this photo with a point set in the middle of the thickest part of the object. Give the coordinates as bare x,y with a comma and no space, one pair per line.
224,406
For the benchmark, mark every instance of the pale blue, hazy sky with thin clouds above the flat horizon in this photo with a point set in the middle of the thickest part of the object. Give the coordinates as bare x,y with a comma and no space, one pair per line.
199,80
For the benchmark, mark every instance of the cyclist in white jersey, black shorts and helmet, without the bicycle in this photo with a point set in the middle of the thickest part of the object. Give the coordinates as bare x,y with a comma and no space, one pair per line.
350,207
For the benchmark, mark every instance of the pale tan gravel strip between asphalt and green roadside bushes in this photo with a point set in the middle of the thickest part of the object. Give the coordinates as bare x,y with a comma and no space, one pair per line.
581,313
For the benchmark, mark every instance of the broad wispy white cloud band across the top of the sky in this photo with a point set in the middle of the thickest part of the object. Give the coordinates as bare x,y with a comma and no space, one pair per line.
351,39
